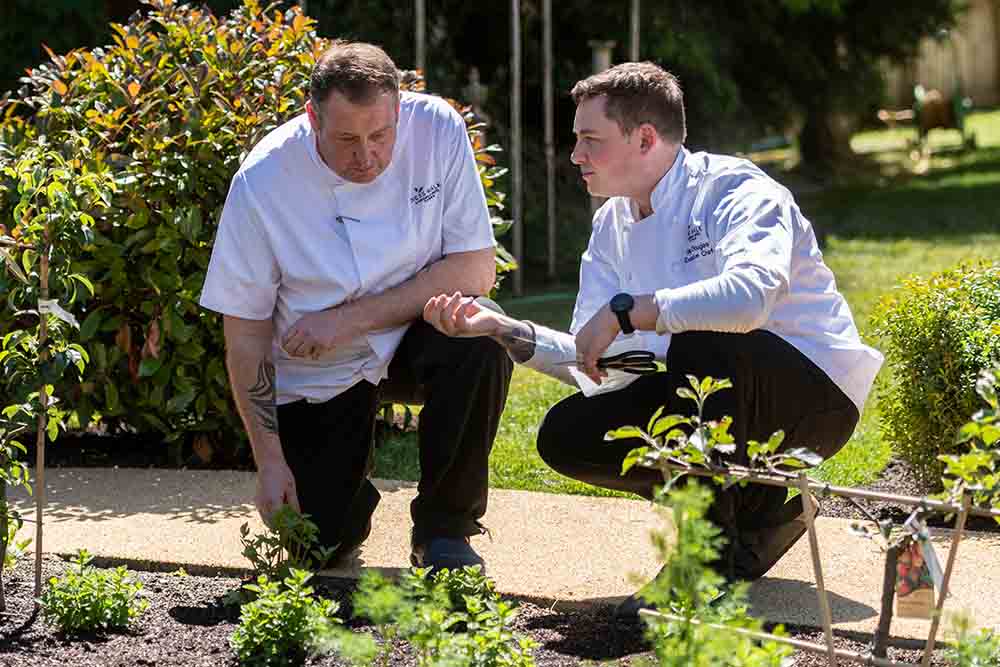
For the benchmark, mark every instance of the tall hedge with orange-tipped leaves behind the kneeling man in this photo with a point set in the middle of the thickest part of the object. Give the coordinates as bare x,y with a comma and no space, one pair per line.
170,110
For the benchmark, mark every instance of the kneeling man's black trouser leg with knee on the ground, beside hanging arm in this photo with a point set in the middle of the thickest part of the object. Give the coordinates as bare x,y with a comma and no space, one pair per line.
328,447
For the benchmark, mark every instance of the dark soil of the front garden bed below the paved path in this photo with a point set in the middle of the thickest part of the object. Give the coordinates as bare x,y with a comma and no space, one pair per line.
188,624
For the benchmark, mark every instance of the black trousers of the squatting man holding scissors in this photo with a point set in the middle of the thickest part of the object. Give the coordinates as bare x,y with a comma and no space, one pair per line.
774,387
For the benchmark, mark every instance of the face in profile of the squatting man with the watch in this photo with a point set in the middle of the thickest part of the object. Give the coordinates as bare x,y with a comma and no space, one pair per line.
606,157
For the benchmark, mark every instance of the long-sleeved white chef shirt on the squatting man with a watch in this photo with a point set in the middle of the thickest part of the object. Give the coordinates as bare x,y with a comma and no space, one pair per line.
725,249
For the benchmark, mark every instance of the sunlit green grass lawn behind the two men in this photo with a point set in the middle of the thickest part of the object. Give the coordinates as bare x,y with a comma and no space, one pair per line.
898,219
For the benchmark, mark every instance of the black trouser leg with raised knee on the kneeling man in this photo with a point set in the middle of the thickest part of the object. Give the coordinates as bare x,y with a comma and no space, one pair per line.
465,382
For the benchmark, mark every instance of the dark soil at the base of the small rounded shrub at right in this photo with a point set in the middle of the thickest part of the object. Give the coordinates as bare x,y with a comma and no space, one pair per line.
898,478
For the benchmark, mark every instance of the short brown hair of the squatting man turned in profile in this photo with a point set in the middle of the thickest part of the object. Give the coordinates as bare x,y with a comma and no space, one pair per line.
638,93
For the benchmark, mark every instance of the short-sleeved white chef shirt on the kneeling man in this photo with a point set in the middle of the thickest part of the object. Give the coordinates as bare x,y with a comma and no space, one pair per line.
295,238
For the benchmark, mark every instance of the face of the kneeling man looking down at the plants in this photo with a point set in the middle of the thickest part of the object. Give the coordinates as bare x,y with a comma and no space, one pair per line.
356,140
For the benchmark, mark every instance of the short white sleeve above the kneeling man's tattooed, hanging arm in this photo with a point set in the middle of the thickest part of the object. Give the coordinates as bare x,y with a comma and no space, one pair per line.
243,274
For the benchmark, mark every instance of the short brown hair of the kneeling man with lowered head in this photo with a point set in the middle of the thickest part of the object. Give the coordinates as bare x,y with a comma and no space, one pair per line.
356,70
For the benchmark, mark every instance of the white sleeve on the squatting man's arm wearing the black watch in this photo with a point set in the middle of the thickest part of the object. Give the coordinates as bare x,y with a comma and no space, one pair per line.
753,224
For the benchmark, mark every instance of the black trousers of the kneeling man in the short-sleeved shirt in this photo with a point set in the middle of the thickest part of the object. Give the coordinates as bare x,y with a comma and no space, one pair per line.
329,446
